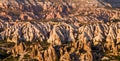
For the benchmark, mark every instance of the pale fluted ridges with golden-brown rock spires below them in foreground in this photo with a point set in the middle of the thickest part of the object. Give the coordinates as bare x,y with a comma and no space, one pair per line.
62,41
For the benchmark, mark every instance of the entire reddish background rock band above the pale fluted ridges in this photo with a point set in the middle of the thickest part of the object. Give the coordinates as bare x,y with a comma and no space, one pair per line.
22,10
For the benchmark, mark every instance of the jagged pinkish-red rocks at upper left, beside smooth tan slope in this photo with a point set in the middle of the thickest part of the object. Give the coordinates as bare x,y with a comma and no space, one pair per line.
32,10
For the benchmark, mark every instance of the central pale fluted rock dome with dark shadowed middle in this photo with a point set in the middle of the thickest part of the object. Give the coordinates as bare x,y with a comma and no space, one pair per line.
60,36
